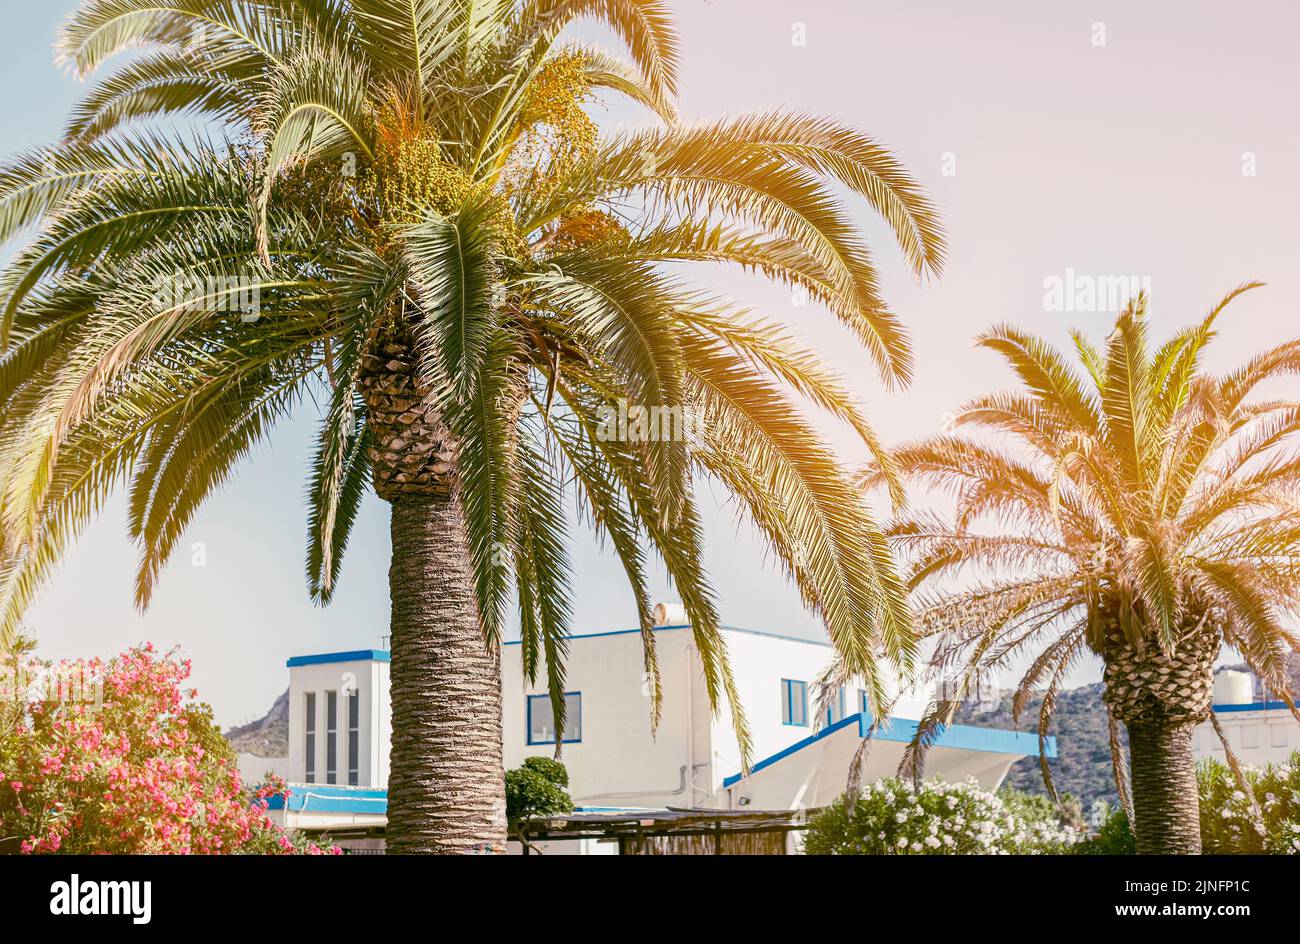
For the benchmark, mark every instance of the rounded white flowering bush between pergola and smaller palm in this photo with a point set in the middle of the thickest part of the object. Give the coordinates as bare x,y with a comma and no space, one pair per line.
892,819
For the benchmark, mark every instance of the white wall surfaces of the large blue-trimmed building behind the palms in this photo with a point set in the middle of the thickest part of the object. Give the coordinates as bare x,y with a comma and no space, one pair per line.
621,761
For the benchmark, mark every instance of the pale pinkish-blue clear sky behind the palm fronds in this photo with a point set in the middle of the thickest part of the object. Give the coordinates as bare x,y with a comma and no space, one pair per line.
1154,141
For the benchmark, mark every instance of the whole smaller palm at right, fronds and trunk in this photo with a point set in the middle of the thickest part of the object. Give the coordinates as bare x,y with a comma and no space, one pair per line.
1147,516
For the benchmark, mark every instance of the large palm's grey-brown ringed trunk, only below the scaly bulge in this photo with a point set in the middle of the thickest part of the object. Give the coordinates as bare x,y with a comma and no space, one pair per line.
447,789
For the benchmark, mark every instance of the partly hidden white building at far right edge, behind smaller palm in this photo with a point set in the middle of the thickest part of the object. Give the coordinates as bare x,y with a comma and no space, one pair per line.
1260,733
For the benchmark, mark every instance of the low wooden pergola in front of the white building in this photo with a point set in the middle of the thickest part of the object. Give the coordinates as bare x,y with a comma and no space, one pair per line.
675,832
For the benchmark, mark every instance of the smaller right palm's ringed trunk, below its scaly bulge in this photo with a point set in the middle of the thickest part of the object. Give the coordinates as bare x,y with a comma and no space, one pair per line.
1167,809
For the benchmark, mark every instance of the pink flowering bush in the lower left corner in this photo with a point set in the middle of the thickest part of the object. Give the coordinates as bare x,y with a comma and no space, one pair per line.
140,770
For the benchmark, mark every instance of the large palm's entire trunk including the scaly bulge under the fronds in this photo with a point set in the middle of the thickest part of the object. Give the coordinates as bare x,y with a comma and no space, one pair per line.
447,786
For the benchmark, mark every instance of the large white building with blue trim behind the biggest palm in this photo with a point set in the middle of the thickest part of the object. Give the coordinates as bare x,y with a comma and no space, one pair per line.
340,731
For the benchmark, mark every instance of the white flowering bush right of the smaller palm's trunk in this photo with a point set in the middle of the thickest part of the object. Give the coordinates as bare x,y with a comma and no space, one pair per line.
1232,825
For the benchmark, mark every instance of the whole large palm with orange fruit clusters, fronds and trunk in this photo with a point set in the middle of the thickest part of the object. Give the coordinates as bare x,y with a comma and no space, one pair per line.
404,210
